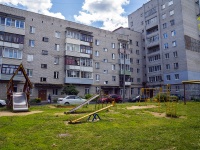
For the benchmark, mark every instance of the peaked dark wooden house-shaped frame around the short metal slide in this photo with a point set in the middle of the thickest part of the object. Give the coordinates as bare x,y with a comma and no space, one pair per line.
26,88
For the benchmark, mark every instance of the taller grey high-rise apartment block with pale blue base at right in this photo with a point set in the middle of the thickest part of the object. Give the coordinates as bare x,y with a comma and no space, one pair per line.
171,41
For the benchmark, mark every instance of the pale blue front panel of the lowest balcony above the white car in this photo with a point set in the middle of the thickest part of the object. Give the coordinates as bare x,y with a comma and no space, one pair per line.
78,80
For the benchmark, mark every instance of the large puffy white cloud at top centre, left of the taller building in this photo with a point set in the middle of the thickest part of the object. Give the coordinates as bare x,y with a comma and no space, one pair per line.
109,12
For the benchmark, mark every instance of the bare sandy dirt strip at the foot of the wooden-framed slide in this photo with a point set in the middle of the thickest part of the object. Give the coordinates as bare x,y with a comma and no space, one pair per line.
8,113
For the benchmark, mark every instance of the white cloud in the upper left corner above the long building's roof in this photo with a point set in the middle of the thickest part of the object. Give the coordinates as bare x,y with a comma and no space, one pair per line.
37,6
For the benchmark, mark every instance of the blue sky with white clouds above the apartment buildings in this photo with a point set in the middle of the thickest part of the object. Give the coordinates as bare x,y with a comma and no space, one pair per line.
104,14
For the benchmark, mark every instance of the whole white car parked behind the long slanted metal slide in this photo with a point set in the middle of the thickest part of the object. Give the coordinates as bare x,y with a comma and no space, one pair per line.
70,99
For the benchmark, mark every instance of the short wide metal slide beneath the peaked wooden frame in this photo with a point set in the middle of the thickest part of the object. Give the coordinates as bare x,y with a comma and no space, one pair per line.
20,101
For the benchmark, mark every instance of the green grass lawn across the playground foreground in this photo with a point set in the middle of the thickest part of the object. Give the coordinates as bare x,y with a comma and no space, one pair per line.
118,129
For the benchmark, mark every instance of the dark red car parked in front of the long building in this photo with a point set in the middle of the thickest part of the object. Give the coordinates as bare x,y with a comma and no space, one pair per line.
110,98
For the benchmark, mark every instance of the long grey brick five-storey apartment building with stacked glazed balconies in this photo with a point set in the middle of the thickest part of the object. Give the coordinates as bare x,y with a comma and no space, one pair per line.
58,52
